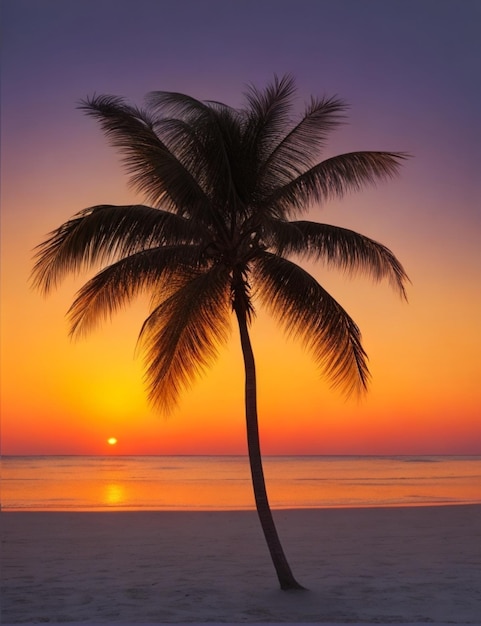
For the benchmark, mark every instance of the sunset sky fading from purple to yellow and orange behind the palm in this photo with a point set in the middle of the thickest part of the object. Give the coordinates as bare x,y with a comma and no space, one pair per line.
410,71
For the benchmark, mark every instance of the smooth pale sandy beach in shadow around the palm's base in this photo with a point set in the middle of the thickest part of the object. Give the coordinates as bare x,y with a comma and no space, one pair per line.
398,565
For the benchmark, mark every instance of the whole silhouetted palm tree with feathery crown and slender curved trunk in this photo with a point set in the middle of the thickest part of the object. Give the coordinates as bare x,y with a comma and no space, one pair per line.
224,189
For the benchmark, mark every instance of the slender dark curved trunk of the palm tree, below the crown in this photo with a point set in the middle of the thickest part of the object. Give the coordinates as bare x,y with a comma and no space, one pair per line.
284,573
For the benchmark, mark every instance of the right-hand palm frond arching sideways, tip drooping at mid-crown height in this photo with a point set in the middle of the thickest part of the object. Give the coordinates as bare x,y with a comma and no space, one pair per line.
340,247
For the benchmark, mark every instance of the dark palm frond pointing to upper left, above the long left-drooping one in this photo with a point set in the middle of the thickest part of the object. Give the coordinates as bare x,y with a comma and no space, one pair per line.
154,170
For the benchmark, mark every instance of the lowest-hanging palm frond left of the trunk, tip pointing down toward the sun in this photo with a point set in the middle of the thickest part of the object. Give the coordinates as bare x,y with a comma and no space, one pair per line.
181,336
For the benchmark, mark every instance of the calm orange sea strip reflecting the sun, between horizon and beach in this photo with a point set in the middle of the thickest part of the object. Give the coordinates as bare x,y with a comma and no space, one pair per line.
93,483
